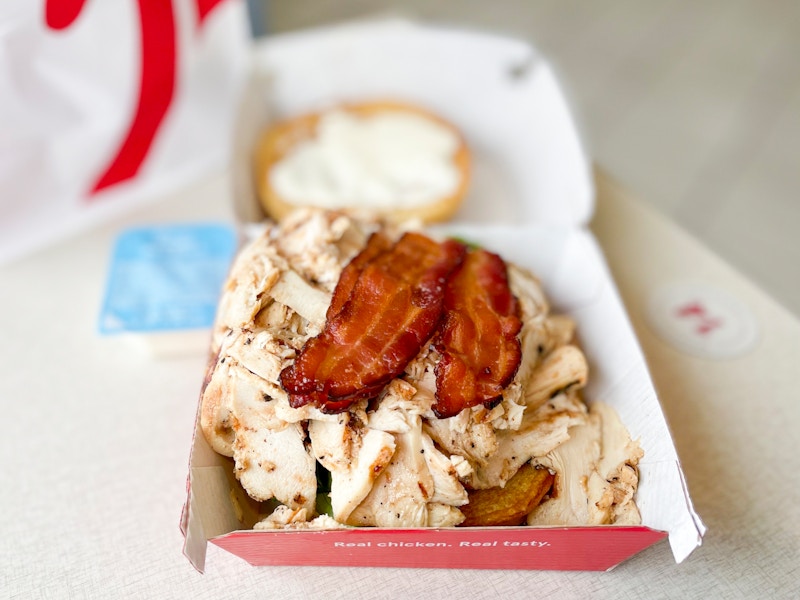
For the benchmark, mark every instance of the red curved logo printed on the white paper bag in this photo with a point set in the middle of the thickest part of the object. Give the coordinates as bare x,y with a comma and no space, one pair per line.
159,60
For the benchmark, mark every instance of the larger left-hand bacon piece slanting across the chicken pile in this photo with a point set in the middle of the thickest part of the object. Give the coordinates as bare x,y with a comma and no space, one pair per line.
392,310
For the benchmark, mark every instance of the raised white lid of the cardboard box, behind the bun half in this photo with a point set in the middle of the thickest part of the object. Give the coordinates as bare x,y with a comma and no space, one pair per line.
528,162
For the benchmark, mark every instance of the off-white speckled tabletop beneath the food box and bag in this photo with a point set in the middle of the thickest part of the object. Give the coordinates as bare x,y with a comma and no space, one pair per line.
96,437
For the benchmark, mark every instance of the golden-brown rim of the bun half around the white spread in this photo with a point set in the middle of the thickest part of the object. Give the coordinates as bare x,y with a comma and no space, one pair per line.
279,140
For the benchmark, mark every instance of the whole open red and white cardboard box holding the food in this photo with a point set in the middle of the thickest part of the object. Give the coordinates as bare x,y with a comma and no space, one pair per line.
530,200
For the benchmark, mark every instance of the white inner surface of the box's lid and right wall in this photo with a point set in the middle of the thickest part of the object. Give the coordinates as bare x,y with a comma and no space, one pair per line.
531,196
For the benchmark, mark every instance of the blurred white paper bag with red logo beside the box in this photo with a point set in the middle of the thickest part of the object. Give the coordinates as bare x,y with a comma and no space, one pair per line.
105,104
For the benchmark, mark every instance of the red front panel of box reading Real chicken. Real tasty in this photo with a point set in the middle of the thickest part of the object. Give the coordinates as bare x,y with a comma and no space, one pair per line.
522,548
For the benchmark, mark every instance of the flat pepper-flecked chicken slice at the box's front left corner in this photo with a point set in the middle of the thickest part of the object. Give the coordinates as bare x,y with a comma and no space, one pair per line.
270,455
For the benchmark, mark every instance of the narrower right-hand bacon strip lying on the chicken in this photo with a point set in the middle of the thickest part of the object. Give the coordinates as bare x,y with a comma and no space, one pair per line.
478,339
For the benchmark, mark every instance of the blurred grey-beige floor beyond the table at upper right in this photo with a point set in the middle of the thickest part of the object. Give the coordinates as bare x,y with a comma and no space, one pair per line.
694,106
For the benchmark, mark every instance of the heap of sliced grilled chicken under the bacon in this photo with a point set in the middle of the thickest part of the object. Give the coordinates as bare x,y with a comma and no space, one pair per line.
392,463
